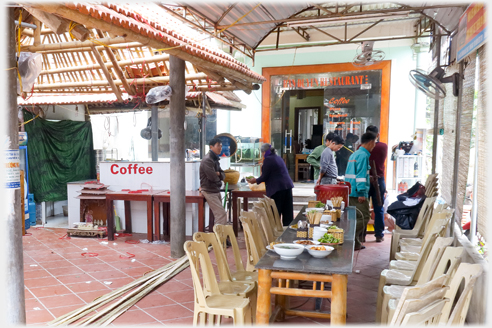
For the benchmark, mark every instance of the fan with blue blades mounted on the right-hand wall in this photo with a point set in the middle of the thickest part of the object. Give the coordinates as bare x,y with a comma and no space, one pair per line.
432,84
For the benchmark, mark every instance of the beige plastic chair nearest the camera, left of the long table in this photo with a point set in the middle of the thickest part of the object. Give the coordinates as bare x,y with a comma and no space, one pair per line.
210,301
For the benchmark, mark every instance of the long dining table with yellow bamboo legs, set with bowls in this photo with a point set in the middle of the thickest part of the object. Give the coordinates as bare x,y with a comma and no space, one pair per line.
332,269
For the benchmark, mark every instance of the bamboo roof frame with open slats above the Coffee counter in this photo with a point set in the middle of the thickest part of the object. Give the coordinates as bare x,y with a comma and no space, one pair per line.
107,63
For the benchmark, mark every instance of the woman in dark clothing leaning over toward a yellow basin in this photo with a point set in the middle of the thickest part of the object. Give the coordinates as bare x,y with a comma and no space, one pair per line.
278,183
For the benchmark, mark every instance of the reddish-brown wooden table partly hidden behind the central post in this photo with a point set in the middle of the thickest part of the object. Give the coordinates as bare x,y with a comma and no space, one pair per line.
165,198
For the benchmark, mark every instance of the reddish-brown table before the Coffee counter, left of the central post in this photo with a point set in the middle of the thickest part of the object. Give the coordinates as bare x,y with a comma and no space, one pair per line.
128,196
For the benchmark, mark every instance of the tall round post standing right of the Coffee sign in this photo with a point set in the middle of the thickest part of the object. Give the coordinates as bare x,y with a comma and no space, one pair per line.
177,117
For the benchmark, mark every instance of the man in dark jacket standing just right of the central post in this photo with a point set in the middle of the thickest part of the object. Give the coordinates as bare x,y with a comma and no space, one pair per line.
211,176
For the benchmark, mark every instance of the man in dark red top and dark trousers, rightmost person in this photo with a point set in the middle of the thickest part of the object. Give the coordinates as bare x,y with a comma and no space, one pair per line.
378,155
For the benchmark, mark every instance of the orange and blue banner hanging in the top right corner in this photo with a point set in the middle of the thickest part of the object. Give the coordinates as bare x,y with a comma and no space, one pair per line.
471,30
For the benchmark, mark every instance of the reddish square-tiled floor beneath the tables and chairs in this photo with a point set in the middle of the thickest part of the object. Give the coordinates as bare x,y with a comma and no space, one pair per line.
58,279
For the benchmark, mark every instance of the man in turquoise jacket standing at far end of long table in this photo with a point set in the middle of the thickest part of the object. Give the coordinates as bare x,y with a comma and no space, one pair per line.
357,175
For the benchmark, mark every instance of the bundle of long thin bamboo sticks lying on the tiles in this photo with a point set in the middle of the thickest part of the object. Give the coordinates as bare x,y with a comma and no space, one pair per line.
128,295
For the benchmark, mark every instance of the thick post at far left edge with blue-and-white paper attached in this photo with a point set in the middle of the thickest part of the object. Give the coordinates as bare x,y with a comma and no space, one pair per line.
13,312
